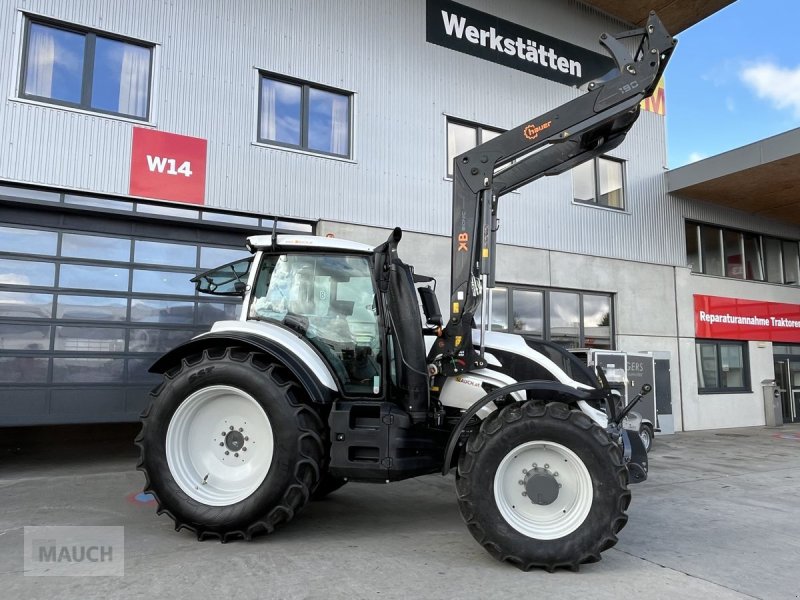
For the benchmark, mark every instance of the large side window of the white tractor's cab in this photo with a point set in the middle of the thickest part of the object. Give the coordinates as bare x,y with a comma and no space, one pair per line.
330,300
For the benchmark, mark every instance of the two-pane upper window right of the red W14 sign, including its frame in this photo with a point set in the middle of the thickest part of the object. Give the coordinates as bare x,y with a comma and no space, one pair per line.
297,114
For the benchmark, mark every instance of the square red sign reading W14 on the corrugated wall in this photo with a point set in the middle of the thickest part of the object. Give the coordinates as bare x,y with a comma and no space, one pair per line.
168,166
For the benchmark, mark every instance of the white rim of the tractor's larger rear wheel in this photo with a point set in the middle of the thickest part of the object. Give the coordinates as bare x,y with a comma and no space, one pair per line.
219,445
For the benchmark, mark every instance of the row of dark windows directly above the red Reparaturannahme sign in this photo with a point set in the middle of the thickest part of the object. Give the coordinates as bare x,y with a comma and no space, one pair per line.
726,252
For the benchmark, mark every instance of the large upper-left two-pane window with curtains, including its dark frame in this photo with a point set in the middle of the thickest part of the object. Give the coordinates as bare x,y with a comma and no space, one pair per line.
71,67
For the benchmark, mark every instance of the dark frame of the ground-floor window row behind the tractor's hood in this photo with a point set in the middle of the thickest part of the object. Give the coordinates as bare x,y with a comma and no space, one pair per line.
546,304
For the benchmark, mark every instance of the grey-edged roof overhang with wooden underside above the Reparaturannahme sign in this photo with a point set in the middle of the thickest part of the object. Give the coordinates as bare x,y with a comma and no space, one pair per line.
761,178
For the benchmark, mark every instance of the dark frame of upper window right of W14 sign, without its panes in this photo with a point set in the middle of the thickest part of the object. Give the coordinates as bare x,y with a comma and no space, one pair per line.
305,92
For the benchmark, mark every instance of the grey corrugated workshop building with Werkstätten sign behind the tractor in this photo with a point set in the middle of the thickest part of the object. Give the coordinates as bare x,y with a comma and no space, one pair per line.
143,141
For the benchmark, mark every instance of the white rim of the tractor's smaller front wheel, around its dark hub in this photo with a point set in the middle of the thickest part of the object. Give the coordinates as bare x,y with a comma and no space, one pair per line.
543,521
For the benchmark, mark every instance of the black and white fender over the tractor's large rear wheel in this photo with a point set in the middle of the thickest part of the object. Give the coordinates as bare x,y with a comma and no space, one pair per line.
283,345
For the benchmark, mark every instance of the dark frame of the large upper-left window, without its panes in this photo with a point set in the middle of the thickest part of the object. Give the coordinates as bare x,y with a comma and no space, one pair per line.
90,36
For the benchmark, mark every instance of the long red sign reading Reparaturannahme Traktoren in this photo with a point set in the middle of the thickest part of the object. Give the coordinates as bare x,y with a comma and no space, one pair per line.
737,319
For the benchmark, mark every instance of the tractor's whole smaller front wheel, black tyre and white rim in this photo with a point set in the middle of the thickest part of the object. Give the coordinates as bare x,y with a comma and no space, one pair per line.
543,486
